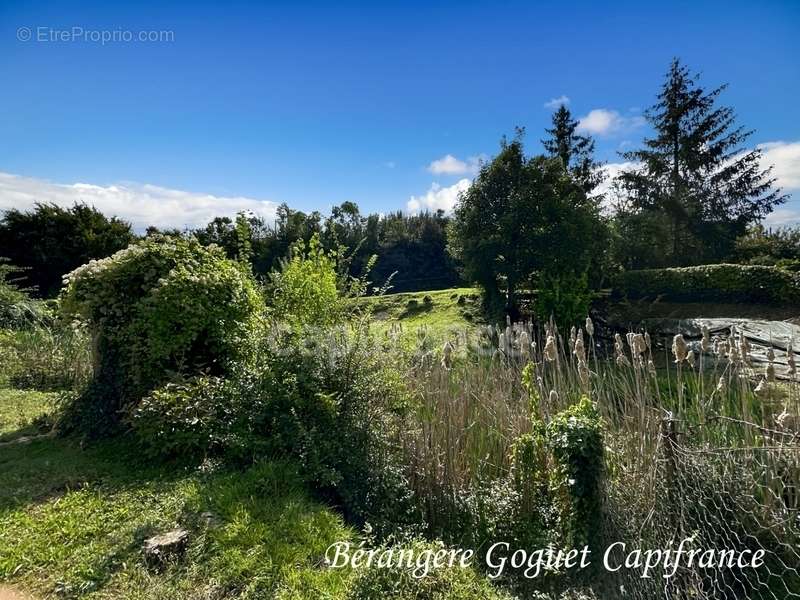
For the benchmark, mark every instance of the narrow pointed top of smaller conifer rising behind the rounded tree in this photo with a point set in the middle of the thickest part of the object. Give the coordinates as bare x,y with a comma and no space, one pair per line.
575,151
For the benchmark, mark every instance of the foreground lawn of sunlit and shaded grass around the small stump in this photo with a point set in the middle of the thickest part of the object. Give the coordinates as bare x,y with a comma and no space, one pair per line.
73,520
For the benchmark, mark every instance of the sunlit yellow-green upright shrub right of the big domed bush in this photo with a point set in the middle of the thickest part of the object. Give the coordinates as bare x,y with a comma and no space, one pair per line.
305,291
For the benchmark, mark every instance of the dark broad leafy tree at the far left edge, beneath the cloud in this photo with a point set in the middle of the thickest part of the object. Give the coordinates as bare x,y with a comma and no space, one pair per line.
49,241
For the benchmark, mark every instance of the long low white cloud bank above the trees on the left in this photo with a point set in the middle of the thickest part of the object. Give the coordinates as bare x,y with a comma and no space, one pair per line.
139,204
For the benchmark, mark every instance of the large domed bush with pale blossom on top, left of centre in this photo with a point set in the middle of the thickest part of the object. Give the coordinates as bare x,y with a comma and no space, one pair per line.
162,308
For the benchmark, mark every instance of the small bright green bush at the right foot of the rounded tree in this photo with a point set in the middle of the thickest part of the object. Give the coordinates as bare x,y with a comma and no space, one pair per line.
564,297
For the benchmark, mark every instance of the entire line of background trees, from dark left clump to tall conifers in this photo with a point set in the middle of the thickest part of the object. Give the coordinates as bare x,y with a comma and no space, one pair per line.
694,192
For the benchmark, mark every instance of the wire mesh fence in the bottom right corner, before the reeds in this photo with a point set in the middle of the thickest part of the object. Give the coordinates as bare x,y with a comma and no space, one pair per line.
718,523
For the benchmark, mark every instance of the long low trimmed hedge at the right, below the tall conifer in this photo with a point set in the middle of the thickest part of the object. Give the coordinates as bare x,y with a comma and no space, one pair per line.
717,283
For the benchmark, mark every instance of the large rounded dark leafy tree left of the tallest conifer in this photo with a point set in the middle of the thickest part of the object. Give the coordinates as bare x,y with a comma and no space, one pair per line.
523,222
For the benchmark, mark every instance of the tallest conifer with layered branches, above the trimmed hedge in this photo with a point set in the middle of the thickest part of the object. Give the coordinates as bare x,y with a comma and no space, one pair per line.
694,176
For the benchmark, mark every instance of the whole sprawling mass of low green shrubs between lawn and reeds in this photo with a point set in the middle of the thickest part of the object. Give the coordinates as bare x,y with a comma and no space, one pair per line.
328,400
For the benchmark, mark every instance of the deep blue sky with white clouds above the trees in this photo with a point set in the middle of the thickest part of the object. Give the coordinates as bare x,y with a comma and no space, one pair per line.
171,113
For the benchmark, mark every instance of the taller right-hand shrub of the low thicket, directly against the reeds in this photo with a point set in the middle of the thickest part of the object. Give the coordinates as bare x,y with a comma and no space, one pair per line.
333,403
